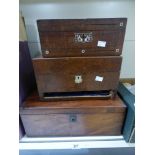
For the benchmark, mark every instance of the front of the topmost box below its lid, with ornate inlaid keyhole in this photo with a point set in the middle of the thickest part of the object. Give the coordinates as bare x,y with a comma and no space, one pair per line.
67,43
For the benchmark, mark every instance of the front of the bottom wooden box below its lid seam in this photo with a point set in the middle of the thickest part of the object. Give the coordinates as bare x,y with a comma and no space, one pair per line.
73,124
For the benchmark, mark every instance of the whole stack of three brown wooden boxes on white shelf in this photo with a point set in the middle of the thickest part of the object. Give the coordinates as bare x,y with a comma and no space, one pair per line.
77,77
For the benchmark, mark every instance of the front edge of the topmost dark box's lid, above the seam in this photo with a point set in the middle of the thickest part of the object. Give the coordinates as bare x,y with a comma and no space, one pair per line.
81,24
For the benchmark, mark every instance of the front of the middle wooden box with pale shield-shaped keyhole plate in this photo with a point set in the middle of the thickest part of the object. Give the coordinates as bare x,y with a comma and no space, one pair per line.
77,74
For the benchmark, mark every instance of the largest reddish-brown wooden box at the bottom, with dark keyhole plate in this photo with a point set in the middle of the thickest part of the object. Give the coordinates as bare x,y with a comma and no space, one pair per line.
72,118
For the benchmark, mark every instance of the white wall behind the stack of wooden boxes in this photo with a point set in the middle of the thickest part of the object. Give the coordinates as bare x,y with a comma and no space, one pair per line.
69,9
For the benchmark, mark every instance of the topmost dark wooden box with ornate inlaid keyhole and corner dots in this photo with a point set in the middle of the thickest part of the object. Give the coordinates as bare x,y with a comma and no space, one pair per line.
82,37
